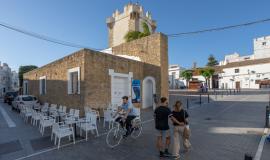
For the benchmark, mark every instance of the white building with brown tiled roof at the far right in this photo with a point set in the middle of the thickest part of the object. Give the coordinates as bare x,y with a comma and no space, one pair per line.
251,72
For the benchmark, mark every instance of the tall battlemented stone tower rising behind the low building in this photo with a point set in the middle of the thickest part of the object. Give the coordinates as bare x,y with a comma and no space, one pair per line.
130,20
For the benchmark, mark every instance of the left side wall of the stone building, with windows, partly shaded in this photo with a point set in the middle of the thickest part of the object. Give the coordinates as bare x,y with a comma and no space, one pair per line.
56,83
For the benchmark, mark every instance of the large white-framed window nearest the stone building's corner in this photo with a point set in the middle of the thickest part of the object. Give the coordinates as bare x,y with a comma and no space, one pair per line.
74,81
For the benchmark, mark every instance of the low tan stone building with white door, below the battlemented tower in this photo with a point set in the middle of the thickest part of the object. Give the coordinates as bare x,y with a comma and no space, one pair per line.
97,79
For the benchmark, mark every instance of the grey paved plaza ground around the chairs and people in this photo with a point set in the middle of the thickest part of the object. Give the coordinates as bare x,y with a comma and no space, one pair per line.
224,129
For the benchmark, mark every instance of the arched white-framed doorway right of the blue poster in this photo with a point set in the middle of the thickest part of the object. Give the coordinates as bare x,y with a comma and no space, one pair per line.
149,89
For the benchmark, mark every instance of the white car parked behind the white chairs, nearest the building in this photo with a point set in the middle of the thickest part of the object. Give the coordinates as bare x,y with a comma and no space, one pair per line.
23,100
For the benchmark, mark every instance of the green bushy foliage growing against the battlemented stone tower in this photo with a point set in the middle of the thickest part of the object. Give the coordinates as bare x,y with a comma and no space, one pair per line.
132,35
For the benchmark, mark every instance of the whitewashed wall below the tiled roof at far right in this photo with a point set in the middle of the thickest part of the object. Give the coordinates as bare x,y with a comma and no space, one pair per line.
247,76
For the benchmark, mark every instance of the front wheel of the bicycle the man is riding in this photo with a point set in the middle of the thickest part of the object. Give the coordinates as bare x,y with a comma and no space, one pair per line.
114,137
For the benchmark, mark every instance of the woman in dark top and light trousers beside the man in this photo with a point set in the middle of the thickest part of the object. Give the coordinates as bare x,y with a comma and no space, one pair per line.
179,123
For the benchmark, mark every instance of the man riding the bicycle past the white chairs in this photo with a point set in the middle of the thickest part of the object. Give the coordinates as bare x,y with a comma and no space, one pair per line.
127,115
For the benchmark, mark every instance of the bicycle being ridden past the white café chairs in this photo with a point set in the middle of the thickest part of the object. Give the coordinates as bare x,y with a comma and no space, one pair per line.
116,134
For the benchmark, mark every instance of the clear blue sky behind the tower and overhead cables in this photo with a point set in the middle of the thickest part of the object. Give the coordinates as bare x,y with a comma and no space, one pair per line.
83,22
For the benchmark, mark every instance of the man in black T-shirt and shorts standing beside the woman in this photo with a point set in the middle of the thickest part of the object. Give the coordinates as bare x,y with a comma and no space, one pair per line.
162,114
